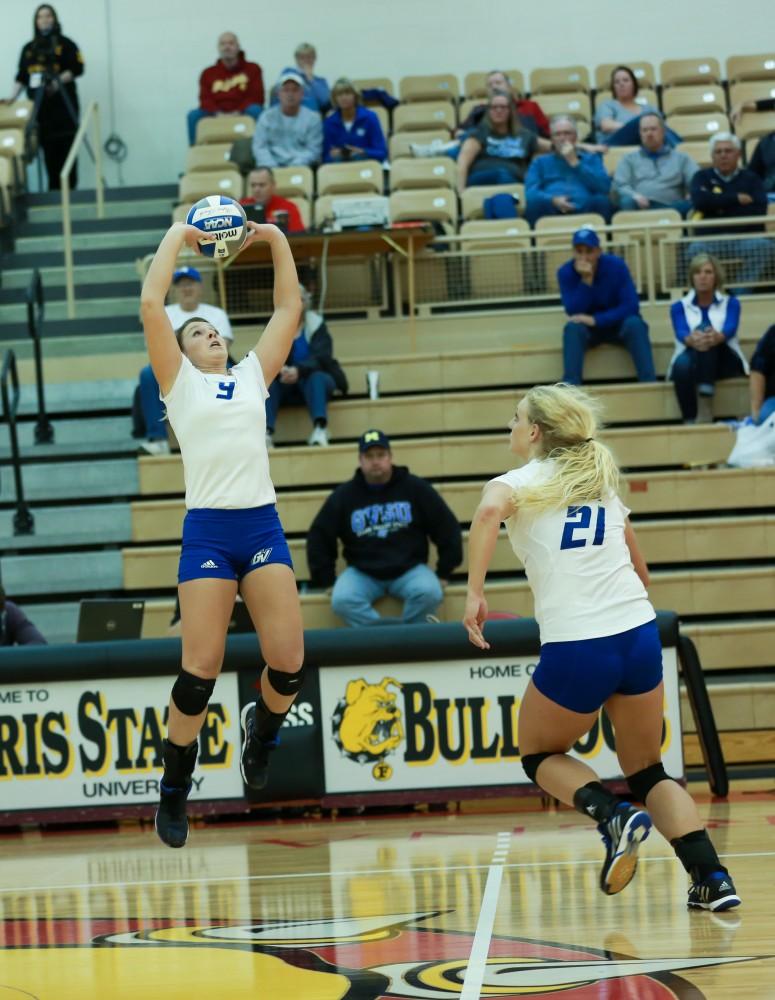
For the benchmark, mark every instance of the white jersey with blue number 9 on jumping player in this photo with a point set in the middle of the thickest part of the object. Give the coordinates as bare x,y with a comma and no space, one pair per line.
220,424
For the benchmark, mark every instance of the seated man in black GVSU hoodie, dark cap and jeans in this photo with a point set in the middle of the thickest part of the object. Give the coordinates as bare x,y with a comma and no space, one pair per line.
384,516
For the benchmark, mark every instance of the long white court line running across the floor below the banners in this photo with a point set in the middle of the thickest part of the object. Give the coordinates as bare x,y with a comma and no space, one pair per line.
5,890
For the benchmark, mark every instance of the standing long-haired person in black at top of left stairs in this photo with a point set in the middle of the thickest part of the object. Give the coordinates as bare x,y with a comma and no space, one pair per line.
48,66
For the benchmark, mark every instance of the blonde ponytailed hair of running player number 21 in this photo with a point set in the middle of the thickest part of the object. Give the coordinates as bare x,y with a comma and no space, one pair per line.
585,469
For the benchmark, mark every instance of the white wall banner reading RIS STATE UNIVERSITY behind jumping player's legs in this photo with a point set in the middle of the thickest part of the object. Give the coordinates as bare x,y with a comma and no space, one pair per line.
93,743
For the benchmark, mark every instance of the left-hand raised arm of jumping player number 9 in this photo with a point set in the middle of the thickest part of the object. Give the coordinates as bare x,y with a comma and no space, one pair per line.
163,349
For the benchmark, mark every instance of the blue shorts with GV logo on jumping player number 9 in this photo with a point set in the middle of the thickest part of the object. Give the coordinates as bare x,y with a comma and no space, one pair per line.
228,544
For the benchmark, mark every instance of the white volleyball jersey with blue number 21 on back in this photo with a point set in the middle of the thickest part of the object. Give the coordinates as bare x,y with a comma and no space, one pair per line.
578,564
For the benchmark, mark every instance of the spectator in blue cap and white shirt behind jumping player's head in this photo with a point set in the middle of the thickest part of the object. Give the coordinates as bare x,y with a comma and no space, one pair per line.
187,283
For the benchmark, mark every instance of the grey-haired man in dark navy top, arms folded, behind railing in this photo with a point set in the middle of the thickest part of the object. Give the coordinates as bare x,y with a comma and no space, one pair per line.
728,191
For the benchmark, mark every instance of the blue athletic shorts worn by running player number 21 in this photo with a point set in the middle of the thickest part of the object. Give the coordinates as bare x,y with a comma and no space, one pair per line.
582,675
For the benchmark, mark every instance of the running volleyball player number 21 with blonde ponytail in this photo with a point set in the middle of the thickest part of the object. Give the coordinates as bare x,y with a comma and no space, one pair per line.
599,639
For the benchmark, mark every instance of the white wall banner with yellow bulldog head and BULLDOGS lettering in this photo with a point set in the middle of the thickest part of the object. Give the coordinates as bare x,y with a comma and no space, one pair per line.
450,724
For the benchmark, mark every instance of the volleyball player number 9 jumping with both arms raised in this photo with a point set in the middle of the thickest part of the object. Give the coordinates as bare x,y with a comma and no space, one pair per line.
232,537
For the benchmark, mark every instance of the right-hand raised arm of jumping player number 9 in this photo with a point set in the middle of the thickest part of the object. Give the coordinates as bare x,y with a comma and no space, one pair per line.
274,344
